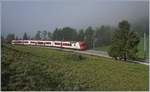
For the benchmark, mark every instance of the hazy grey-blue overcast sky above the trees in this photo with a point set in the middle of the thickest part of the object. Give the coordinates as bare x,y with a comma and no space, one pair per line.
30,16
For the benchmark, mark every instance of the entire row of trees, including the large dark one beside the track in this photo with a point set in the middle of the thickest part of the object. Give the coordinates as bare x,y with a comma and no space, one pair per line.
122,40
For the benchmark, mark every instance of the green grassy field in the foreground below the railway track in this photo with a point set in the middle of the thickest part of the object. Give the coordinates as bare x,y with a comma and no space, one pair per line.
34,68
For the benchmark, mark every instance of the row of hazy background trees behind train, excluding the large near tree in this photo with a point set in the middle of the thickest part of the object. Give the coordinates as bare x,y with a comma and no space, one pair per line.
94,37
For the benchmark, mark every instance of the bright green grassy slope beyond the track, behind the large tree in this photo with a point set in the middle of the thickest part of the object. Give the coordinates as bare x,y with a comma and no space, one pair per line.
140,53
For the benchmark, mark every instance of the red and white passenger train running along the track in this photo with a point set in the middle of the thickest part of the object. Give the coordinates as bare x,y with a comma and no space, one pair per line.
60,44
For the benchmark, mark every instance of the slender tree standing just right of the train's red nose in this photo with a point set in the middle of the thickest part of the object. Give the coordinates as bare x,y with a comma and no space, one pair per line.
89,36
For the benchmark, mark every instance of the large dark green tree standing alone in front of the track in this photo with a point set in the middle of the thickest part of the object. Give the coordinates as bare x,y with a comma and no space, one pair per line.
124,42
